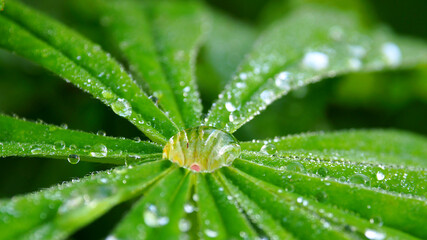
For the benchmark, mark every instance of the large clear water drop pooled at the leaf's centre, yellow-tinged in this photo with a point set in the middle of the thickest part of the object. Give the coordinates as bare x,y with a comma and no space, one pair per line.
202,149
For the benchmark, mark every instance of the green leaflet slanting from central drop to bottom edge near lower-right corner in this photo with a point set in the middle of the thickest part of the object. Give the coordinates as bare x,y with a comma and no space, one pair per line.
332,220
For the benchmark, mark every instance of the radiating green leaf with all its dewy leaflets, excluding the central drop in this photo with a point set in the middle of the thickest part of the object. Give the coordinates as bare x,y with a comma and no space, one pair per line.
352,184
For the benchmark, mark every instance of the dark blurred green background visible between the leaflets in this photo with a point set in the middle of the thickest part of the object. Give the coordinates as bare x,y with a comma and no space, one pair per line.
396,99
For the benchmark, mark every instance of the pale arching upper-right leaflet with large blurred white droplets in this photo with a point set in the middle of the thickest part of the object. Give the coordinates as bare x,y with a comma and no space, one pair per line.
310,44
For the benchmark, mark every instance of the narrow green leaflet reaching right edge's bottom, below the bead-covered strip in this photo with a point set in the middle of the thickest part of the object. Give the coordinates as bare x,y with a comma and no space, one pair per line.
367,202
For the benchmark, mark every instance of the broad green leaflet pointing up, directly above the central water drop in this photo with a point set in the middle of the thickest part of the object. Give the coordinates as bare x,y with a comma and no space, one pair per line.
164,59
